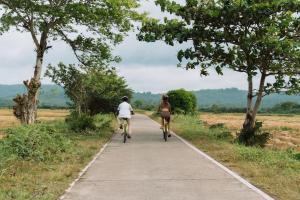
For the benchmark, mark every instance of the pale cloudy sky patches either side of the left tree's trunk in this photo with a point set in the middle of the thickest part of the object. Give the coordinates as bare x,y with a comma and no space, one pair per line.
17,57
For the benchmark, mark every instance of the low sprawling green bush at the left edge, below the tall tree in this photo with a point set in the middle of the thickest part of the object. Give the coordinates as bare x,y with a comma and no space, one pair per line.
38,142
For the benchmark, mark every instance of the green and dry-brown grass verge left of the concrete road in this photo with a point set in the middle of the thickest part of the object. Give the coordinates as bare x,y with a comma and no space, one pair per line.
35,169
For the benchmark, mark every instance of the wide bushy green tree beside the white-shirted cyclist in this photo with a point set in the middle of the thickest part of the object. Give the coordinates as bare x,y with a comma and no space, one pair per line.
93,89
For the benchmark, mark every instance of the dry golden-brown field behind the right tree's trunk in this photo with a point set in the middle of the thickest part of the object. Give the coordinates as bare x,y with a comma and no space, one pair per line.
285,129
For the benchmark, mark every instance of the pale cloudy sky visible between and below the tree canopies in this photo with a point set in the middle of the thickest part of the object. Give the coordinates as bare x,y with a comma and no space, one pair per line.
146,66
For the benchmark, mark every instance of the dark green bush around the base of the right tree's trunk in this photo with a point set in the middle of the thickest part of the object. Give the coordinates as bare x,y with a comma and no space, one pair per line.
254,136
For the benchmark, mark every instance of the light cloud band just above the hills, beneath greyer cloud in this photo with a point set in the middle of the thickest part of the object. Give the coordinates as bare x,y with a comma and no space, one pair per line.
160,79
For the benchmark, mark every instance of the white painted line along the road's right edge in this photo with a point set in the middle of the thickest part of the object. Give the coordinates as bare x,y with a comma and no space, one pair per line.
235,175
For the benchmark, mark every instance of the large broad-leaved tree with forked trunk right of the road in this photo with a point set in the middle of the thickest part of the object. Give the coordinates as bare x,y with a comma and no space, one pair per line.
258,38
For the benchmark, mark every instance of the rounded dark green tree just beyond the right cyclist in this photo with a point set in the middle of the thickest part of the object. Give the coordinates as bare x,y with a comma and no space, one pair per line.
182,101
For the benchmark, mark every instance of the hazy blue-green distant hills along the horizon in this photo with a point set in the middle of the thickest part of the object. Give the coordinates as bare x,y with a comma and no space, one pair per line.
53,96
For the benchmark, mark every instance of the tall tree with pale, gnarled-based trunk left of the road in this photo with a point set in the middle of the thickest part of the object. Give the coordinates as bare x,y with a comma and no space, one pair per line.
89,27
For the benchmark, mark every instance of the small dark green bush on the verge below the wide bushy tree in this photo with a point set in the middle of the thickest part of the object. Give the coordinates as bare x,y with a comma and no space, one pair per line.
79,123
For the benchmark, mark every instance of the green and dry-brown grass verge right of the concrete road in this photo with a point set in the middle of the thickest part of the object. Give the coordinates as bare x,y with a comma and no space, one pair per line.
275,171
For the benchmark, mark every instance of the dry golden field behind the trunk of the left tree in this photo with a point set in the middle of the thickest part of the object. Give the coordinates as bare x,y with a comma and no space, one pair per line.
7,118
